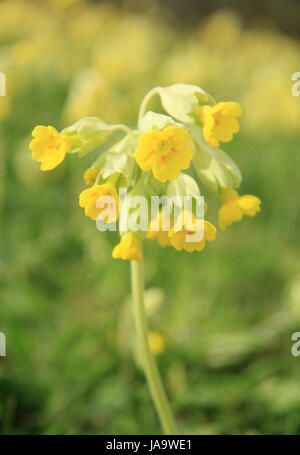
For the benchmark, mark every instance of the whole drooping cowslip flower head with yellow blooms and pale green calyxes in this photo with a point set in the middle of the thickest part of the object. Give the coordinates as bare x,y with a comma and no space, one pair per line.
156,158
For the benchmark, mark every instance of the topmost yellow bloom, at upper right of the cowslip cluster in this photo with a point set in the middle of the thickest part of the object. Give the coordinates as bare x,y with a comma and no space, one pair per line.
219,122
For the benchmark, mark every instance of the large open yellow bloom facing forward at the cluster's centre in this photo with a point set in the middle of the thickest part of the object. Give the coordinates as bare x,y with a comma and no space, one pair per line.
165,151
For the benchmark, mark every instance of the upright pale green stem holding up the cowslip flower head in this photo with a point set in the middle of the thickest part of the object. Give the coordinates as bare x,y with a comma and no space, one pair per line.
150,368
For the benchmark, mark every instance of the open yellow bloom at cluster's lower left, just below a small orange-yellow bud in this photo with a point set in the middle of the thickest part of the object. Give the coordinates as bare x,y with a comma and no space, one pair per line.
91,197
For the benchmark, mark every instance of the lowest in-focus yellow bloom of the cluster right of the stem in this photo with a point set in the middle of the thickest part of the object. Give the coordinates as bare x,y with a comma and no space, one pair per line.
179,234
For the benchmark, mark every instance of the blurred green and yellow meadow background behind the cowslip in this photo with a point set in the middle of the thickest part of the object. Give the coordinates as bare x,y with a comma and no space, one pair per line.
221,320
